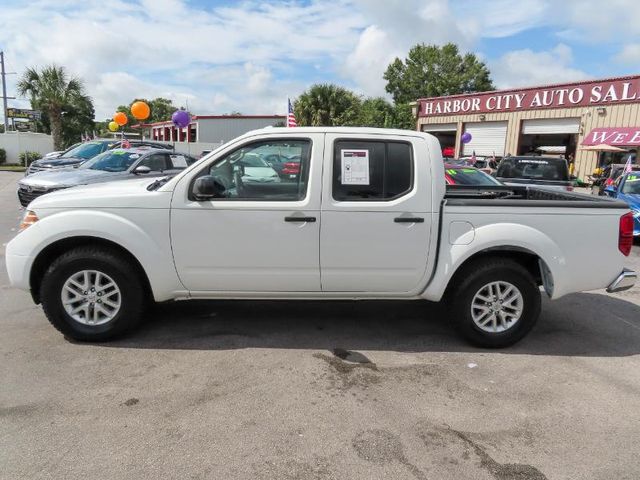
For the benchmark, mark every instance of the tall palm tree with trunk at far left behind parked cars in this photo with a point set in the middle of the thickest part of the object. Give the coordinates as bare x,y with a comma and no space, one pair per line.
52,90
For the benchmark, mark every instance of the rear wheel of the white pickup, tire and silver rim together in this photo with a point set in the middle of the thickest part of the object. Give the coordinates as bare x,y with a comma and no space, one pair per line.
495,303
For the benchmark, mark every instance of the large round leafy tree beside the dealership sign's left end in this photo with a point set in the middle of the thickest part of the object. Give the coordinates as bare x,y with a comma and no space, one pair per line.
431,71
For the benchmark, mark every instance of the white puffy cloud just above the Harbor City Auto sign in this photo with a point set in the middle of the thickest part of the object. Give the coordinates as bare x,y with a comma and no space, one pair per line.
528,68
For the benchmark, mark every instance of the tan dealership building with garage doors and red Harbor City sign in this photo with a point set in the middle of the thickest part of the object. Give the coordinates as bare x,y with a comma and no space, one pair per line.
552,119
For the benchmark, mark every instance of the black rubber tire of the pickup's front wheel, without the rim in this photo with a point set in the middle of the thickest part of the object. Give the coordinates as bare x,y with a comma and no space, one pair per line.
132,293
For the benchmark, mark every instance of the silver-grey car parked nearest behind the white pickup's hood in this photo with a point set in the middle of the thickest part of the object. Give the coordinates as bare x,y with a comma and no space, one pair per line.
117,164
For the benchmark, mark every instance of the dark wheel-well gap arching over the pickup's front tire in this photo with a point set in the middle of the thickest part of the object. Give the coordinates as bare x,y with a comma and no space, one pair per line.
52,251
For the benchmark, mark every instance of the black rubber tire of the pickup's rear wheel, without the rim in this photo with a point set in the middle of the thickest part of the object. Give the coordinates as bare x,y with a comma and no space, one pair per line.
471,279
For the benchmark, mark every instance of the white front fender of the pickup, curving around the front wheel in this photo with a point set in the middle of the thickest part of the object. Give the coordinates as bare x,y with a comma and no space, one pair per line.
145,234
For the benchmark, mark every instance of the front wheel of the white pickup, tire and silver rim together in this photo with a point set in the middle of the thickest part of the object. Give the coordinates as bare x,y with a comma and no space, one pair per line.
91,294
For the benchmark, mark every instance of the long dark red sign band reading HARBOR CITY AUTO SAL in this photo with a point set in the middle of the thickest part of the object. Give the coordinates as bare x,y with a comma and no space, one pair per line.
597,93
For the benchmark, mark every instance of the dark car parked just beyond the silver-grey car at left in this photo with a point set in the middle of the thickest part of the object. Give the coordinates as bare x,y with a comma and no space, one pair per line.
80,153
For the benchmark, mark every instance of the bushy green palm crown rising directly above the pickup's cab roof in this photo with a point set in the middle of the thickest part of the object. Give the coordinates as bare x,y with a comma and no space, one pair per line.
327,105
